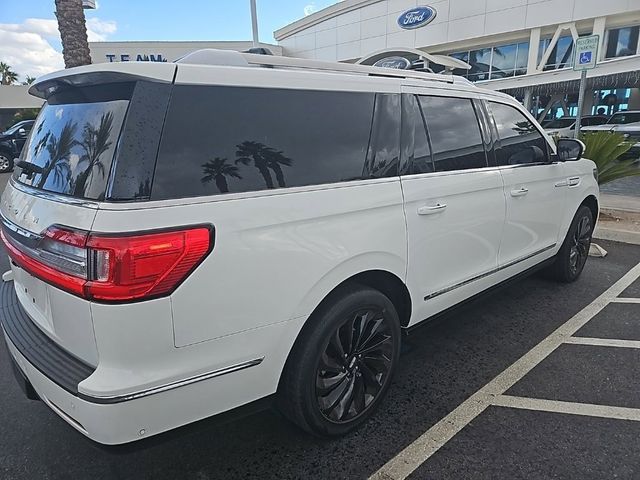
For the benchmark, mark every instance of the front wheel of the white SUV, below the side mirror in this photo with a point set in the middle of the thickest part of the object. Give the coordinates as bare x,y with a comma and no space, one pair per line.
573,254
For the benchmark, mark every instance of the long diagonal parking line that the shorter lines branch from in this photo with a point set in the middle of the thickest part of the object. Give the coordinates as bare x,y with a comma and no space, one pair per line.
405,462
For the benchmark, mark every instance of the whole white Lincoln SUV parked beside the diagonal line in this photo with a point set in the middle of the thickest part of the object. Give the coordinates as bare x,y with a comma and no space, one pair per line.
189,238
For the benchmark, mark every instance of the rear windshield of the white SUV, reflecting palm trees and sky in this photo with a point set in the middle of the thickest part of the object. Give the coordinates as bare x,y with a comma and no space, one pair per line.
72,143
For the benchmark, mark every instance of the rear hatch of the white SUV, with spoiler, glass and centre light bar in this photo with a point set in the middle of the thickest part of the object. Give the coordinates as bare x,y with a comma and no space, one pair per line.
66,169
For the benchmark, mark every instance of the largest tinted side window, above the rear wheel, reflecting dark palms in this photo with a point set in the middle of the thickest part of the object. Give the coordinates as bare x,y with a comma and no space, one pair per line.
236,139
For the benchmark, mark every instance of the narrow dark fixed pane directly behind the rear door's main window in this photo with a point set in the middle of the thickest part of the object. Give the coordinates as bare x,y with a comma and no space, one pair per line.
415,144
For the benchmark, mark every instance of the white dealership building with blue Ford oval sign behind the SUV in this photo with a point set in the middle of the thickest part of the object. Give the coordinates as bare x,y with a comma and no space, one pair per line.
521,47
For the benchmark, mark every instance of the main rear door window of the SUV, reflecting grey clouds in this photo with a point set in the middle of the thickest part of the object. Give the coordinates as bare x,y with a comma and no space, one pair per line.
454,132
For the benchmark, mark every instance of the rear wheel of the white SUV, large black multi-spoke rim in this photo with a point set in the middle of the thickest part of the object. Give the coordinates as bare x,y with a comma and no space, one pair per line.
341,366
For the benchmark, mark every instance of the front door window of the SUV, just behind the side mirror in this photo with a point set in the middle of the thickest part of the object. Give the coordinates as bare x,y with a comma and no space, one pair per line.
520,142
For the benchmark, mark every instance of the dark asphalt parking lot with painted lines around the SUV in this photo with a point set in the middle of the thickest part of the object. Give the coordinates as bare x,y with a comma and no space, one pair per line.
472,400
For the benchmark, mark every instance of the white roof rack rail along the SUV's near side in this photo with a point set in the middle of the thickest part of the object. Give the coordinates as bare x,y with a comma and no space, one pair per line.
229,57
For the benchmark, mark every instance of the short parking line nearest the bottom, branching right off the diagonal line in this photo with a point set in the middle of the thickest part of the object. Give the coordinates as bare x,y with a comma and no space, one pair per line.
572,408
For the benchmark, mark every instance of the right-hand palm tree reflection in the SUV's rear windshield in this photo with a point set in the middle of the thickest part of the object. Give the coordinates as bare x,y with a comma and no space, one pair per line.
95,142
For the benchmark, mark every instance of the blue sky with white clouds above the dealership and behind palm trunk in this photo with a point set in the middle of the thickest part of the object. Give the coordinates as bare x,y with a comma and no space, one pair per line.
30,42
